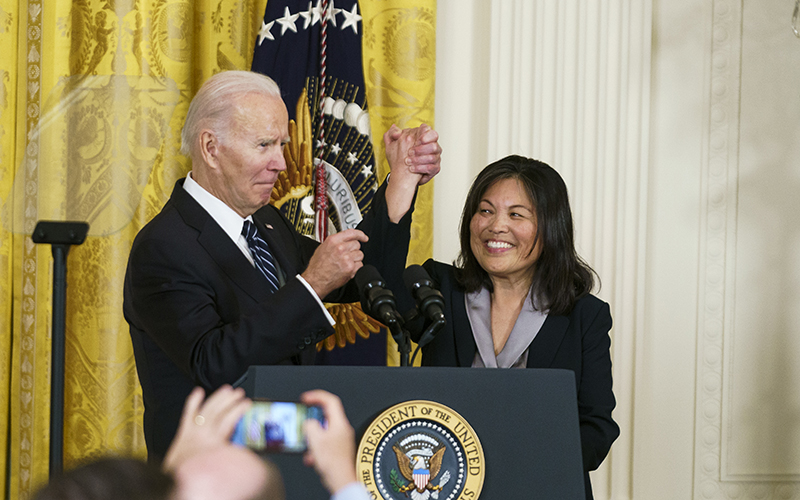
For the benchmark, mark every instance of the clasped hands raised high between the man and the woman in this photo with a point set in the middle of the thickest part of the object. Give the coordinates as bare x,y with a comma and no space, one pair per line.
413,151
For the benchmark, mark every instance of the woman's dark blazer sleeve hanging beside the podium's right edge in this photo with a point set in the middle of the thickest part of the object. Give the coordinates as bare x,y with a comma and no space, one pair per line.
595,395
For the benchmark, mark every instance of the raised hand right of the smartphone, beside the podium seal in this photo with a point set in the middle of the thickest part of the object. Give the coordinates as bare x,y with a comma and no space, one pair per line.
332,450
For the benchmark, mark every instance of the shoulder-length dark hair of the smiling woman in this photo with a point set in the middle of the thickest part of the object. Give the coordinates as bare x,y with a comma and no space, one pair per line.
560,276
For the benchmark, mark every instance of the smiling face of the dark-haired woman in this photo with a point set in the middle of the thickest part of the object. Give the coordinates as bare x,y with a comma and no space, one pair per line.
503,231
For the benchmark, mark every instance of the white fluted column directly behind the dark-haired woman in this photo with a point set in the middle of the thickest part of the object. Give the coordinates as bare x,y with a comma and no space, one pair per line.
568,84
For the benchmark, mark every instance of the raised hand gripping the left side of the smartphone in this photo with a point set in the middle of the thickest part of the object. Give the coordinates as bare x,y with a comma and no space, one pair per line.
206,425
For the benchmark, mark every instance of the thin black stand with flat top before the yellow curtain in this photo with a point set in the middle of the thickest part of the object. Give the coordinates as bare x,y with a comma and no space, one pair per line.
61,235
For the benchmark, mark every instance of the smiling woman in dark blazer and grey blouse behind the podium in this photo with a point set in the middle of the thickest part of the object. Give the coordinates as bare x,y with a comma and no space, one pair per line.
519,295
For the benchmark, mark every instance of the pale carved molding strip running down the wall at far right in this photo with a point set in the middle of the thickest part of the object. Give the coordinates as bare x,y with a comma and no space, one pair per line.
717,272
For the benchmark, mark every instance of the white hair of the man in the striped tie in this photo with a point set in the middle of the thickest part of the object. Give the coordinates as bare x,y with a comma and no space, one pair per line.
212,106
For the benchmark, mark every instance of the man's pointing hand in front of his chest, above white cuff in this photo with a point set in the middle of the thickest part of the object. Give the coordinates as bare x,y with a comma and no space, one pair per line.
335,261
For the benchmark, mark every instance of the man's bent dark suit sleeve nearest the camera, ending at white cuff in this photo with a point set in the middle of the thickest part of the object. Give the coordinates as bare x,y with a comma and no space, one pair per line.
204,322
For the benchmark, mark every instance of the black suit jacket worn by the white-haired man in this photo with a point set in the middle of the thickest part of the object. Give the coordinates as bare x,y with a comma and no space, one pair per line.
200,314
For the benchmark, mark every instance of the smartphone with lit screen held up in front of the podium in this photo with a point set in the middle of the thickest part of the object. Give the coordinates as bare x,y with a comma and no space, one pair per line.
275,426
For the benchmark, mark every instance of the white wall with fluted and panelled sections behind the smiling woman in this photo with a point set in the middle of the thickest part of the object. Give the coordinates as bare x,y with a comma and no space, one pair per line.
676,127
